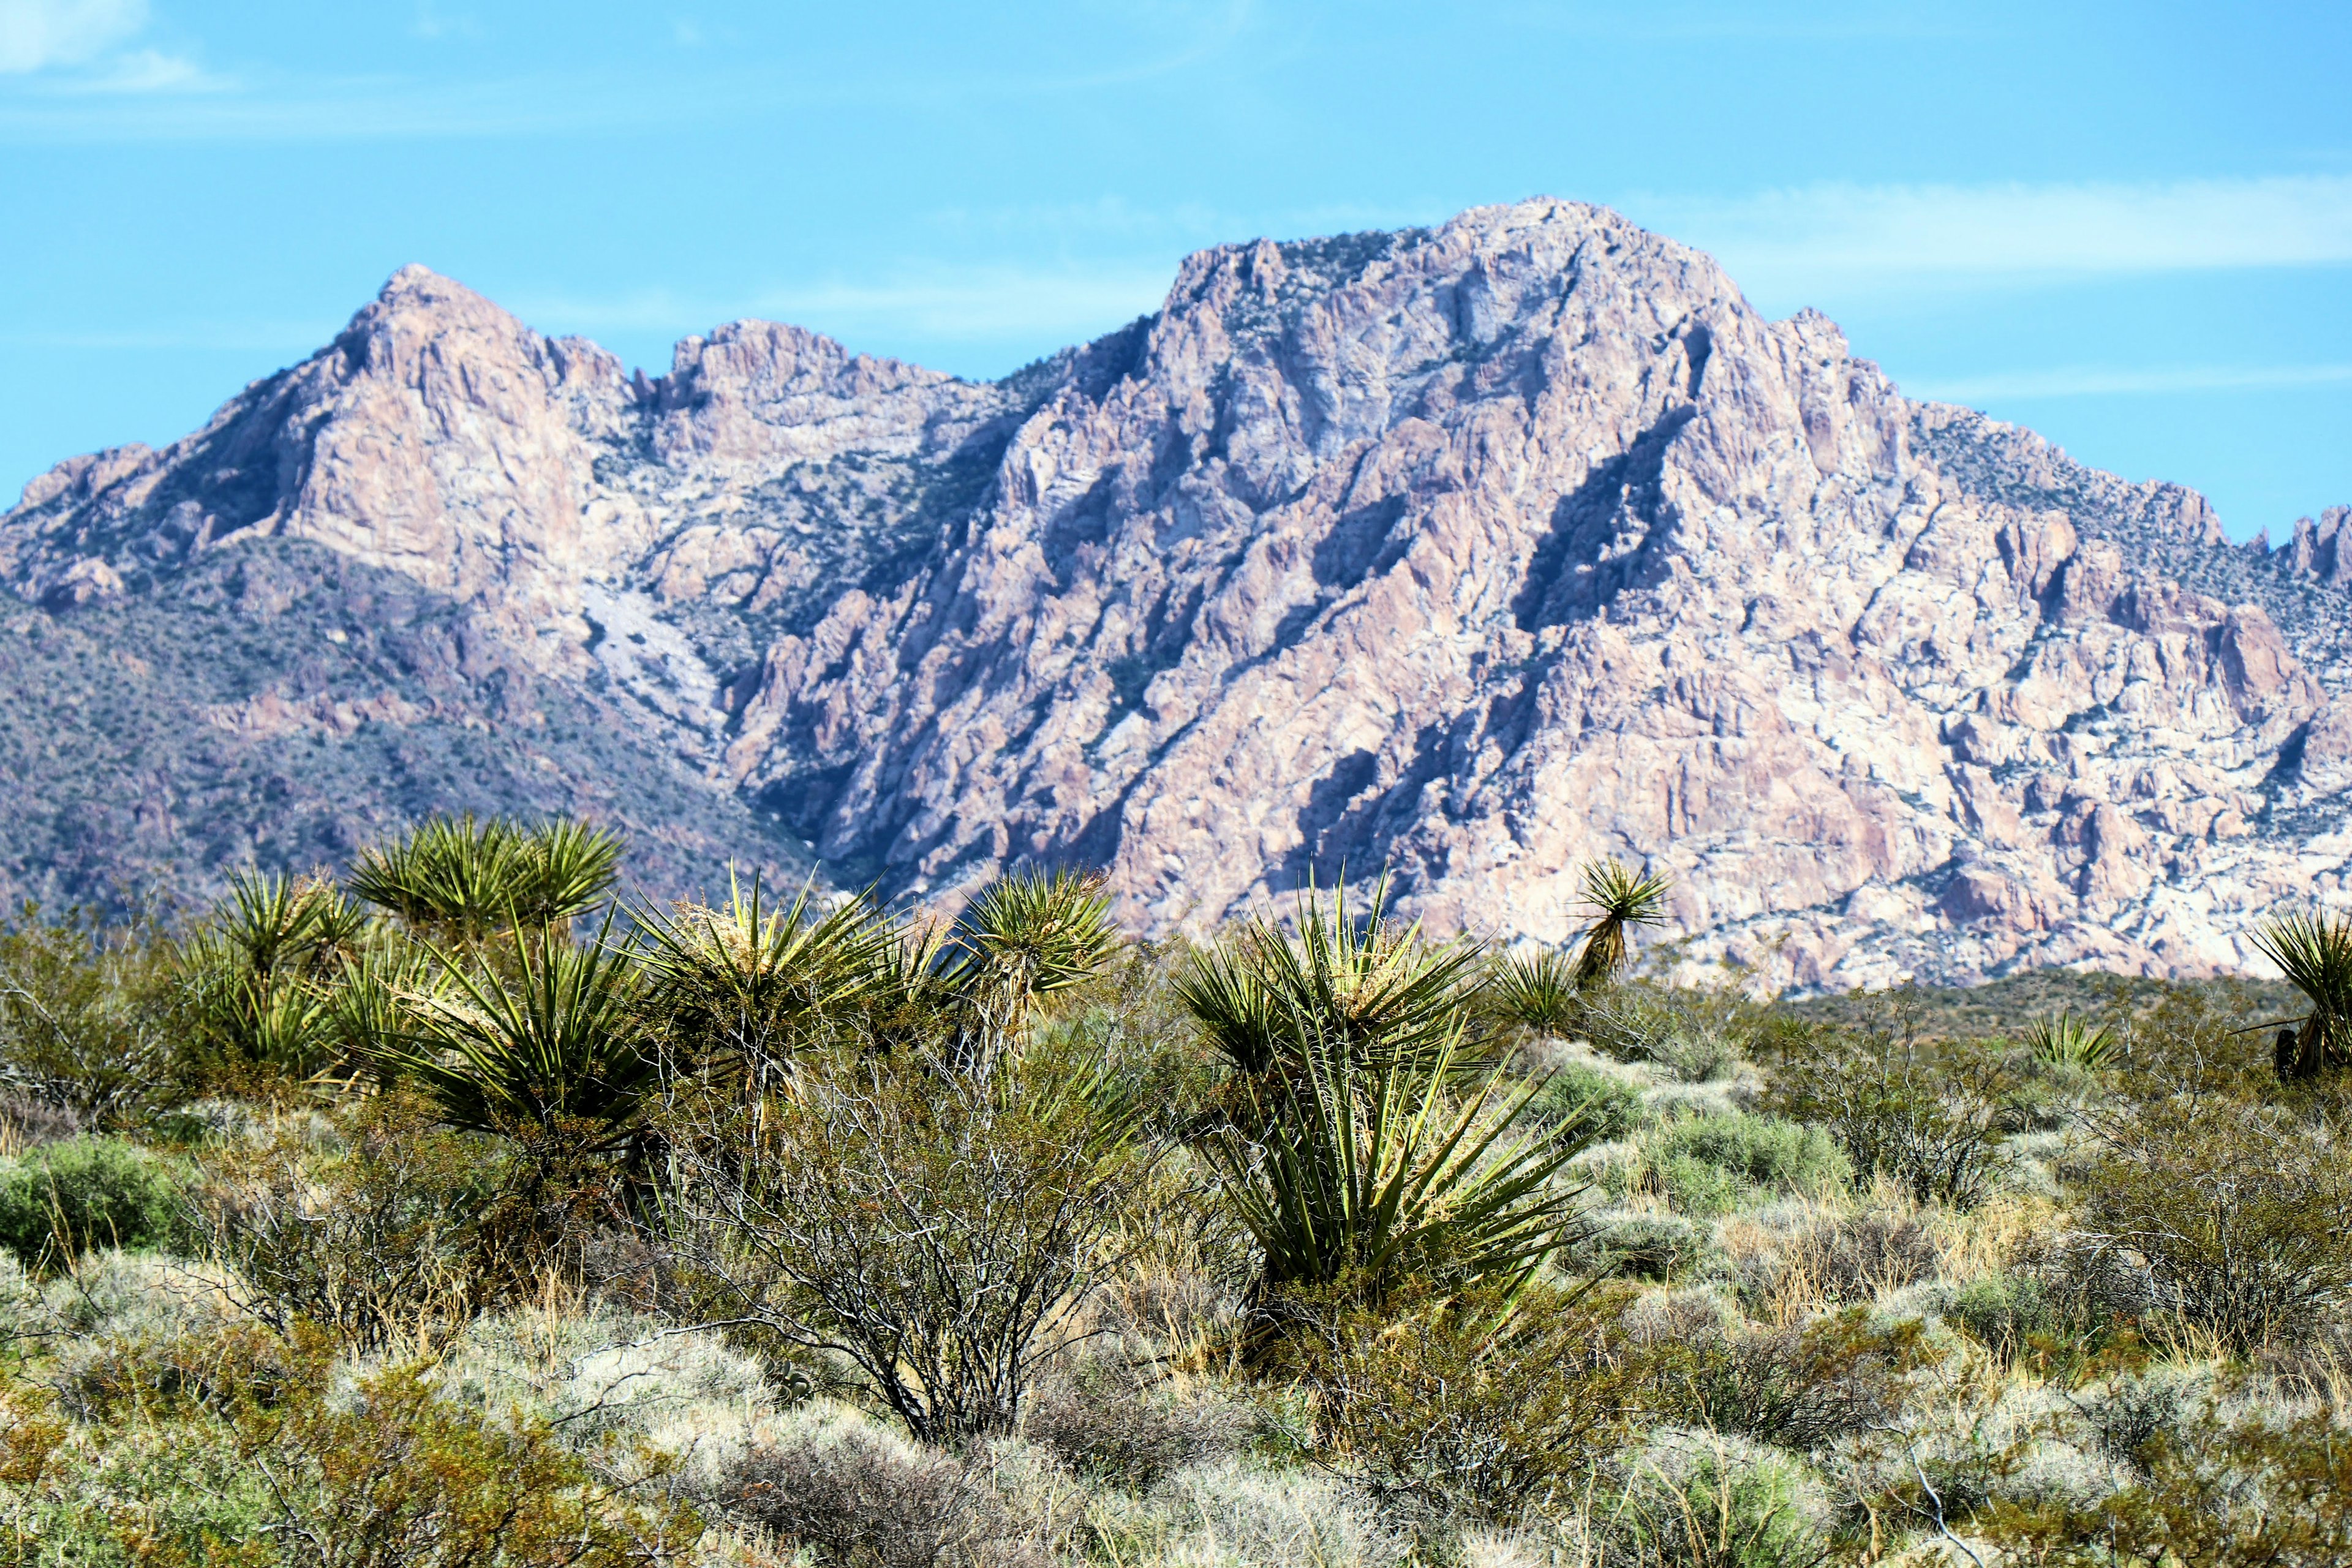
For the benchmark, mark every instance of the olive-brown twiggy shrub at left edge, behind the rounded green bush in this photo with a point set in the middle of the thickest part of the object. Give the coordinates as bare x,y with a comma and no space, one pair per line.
91,1019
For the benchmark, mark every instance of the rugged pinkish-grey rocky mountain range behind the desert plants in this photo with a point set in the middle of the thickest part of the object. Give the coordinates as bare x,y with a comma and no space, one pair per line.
1474,551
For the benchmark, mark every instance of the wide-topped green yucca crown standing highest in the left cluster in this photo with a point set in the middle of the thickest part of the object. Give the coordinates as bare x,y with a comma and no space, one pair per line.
460,878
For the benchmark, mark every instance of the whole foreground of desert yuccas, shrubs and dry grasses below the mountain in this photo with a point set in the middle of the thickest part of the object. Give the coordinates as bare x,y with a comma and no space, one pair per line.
467,1212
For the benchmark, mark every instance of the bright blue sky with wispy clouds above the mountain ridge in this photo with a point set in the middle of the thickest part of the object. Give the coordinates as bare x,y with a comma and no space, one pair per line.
2123,225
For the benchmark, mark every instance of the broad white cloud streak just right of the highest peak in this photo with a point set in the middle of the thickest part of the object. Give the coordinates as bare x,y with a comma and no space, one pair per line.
1836,234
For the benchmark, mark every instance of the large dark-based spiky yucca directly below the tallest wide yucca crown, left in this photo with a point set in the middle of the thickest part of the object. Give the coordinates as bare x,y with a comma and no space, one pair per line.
554,1047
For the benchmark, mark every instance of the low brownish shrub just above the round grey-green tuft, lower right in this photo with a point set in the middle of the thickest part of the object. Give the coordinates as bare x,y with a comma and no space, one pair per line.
1798,1388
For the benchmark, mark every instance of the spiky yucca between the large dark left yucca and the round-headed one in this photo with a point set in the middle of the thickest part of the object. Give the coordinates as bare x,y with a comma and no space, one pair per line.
749,984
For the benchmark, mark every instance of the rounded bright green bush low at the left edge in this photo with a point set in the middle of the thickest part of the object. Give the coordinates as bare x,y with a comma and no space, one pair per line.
69,1198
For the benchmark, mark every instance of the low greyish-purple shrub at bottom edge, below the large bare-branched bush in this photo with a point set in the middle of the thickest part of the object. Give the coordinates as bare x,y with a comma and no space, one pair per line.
867,1501
